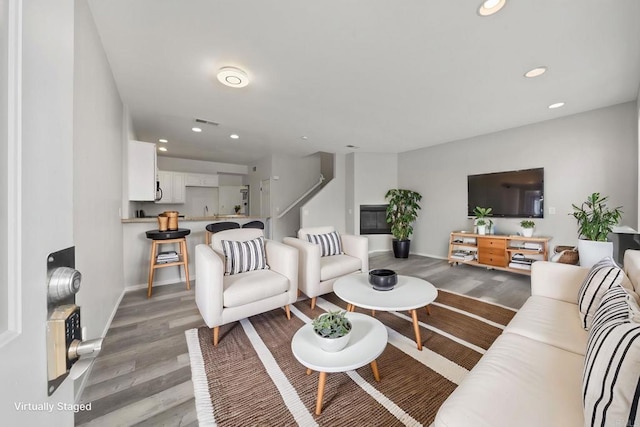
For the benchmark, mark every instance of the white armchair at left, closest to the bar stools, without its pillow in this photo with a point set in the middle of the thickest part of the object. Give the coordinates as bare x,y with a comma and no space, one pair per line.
224,299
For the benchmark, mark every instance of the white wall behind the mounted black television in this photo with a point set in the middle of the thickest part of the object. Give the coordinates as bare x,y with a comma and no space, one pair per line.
596,151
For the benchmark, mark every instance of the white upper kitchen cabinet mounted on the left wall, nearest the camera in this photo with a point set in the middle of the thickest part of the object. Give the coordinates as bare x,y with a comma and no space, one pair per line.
141,171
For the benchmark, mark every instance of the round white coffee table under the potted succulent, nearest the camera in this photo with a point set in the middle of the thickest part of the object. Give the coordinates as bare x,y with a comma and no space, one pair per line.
368,341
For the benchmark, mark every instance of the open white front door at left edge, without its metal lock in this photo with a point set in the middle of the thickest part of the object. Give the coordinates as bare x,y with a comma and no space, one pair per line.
37,39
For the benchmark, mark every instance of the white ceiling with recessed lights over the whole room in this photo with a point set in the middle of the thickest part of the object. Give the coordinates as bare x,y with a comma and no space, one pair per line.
383,75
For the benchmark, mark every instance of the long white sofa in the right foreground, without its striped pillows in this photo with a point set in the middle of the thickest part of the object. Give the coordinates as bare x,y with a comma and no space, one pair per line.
532,374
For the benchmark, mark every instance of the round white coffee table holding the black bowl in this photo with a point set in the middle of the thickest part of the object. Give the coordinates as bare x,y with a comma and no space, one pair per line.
409,294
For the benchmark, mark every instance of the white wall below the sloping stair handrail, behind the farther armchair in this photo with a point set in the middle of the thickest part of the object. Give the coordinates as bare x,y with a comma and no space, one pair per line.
328,206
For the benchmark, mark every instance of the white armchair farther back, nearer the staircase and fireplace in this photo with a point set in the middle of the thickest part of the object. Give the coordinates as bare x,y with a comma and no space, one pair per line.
316,274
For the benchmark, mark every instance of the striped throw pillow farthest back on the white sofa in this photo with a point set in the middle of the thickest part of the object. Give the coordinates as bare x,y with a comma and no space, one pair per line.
604,275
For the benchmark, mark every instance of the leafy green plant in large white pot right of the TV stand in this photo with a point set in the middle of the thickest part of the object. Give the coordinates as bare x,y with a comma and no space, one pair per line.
595,222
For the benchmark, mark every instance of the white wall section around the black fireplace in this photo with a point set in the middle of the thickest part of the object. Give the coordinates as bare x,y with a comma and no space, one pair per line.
373,175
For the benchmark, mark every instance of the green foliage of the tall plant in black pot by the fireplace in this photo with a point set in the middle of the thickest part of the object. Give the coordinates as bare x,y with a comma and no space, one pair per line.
402,212
